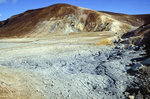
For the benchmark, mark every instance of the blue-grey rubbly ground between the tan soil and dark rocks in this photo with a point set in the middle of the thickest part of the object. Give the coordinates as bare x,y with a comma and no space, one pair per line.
73,71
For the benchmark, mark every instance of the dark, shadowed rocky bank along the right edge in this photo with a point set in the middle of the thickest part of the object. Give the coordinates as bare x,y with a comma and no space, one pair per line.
141,37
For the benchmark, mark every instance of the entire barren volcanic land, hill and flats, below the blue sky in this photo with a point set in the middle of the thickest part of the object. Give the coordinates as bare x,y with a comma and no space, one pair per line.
68,52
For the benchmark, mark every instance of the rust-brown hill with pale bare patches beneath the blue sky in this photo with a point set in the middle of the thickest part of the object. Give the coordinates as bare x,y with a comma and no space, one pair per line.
63,18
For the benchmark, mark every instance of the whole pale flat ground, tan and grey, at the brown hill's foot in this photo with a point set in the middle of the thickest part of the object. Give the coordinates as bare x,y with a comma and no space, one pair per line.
76,66
